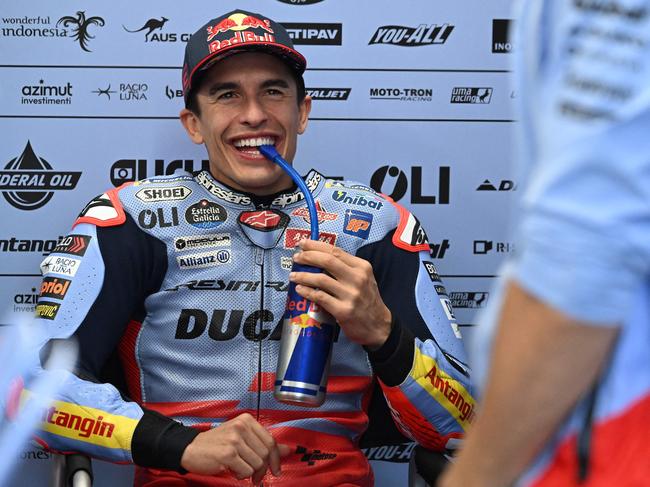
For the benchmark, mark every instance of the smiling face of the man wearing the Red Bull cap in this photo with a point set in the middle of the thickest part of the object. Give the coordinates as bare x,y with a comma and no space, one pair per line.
247,100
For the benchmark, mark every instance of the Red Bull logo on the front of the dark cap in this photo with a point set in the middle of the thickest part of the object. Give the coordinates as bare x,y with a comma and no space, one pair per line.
239,24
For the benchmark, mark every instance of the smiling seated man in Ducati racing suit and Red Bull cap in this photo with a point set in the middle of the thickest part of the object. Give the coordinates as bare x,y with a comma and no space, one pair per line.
177,288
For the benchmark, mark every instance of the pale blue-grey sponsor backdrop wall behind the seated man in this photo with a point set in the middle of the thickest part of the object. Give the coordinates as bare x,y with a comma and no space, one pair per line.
410,97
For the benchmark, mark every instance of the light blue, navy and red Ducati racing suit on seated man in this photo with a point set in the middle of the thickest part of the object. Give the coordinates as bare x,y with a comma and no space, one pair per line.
175,288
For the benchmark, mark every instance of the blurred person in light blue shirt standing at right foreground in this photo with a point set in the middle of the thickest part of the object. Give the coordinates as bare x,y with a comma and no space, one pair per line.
567,396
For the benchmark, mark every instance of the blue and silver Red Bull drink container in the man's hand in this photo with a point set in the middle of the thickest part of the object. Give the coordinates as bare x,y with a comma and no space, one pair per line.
305,349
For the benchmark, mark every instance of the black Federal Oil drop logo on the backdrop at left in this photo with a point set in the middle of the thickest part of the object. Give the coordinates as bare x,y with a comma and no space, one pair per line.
28,181
